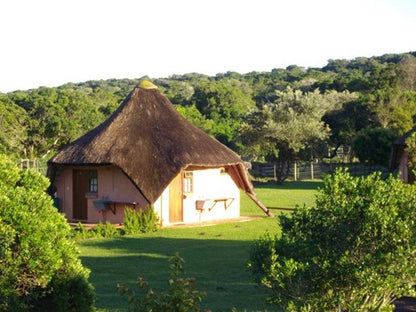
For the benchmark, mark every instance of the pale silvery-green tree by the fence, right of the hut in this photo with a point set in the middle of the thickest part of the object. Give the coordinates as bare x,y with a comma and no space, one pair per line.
279,131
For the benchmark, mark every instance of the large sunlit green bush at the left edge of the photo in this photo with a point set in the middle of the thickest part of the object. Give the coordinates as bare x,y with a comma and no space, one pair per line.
39,265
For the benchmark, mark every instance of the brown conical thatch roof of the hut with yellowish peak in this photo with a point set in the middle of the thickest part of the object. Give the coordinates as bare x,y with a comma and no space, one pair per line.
151,143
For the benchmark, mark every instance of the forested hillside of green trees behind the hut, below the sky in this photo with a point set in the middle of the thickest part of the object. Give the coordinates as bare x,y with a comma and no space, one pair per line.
279,115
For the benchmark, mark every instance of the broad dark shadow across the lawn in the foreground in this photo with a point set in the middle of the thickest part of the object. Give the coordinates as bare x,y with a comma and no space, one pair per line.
219,266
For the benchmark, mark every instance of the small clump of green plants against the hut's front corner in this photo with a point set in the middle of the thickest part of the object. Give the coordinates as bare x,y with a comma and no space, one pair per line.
140,221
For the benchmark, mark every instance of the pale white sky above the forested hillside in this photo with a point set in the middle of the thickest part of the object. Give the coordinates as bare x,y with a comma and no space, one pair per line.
52,42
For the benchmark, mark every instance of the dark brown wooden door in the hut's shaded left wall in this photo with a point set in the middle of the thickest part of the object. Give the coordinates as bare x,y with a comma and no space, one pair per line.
81,184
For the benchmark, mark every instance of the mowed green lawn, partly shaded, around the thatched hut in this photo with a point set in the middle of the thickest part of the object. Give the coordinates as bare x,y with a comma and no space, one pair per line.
215,255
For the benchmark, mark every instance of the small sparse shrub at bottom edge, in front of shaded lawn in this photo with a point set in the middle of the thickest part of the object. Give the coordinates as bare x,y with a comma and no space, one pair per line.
181,294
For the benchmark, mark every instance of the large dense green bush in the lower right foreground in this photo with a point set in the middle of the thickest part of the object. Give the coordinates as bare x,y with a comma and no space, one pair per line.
354,251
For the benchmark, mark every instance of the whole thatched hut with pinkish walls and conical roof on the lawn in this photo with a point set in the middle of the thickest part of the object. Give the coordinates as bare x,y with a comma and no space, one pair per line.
147,154
